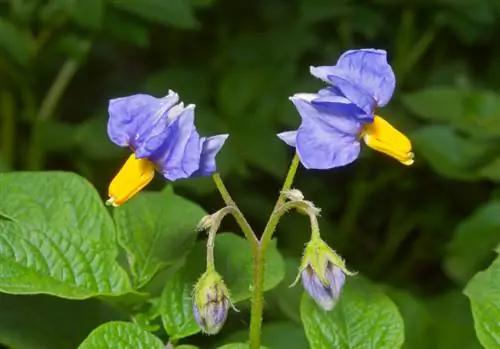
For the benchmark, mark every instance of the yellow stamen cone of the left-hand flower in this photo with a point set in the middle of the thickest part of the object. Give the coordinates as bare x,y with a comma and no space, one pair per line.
132,178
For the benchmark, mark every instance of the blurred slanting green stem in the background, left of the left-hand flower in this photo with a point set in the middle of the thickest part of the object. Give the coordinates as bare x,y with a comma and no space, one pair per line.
47,109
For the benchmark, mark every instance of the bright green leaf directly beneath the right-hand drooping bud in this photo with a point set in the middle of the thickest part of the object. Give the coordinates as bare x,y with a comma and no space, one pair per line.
364,318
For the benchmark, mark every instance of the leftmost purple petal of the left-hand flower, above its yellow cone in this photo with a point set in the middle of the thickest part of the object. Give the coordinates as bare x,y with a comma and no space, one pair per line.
139,120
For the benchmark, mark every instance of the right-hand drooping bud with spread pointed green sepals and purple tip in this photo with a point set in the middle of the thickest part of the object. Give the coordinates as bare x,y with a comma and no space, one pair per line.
323,273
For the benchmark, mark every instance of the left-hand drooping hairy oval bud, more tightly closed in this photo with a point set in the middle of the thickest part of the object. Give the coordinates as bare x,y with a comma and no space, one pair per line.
211,302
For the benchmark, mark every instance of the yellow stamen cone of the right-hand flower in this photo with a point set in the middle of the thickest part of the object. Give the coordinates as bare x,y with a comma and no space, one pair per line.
383,137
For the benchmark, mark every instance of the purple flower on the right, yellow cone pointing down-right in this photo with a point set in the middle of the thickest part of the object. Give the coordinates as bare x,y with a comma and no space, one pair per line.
338,116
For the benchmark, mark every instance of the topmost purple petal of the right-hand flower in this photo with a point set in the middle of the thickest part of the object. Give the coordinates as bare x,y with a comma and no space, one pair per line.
361,75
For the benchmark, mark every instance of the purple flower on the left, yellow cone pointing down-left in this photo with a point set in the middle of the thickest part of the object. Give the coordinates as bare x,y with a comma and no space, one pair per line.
162,135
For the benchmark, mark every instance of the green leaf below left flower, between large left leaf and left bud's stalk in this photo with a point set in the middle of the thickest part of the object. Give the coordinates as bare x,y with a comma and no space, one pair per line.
156,229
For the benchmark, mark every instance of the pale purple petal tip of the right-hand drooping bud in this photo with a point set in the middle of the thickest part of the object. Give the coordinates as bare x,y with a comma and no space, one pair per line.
326,295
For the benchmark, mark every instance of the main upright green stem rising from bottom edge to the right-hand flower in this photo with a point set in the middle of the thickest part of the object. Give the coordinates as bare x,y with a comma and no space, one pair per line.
260,259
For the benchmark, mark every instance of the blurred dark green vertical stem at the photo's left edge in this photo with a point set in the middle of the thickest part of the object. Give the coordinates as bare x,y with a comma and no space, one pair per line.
8,127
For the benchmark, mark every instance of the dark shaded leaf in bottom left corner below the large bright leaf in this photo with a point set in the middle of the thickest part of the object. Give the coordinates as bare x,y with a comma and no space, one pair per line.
46,322
